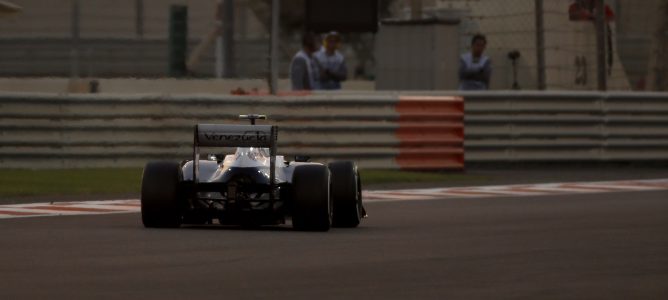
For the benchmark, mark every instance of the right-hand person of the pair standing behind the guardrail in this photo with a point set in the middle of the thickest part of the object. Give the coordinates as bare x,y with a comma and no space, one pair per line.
330,63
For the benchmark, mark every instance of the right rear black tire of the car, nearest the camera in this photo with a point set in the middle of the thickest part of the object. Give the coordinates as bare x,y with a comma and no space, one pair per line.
311,208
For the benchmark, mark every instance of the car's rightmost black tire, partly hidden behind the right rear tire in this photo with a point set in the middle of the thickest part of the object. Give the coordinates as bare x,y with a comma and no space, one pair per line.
346,194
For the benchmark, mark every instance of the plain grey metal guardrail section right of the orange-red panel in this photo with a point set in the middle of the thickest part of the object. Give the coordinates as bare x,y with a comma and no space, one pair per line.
589,126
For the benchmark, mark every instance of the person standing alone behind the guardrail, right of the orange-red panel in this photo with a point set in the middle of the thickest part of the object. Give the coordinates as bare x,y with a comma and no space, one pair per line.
475,68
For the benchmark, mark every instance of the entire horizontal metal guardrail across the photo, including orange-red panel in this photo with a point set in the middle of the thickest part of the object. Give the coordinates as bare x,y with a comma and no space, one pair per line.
379,130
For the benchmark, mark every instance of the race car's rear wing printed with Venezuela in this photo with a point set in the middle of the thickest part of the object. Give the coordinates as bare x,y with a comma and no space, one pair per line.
227,135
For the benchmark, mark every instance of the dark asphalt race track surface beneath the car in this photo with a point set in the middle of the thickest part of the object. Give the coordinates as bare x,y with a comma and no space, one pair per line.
586,246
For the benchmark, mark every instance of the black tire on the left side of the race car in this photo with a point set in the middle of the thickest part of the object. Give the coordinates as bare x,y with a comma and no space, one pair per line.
161,202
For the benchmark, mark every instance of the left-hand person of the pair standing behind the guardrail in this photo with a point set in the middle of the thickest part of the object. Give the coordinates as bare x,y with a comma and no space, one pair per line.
302,70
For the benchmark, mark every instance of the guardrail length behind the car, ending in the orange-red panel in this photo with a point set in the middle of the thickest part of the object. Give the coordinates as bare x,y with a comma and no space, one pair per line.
382,131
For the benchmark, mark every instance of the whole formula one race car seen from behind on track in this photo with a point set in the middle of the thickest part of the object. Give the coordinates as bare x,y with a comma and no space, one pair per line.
251,187
